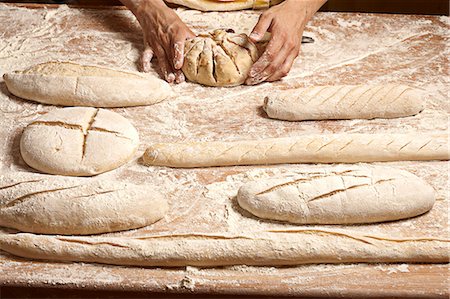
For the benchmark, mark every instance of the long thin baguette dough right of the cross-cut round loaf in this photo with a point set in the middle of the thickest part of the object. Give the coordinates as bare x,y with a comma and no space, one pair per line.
331,148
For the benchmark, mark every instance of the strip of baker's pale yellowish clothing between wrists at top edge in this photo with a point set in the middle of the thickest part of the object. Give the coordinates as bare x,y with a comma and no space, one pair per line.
225,5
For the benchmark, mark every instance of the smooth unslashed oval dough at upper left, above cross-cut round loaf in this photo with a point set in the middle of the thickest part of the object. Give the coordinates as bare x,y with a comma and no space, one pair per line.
70,84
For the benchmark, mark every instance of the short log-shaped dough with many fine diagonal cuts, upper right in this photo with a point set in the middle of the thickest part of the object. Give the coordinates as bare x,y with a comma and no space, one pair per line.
344,102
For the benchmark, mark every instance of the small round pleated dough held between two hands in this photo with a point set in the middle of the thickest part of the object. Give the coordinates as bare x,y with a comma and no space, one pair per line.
219,58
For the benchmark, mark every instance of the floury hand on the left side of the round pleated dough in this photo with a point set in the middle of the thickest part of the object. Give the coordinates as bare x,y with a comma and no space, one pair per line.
164,37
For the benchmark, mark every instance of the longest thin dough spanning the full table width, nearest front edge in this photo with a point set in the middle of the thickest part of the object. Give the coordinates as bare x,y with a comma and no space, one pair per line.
274,248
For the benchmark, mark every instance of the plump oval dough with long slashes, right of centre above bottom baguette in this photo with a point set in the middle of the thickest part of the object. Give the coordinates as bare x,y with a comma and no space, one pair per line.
362,195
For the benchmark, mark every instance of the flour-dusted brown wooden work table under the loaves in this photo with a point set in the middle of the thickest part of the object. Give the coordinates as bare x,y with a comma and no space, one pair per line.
348,49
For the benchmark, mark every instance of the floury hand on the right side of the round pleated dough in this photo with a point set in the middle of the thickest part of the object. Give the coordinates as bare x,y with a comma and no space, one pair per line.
286,23
